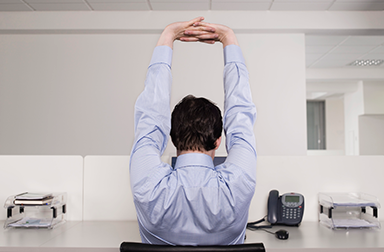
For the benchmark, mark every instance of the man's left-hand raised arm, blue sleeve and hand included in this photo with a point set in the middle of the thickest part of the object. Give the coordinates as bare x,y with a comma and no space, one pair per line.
152,108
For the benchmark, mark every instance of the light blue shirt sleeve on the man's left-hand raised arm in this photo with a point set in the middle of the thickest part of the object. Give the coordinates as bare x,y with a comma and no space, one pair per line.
152,120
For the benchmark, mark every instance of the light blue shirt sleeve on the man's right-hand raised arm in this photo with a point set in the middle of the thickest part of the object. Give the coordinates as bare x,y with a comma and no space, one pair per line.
239,117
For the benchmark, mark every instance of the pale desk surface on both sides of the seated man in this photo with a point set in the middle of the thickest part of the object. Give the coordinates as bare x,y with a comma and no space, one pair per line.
108,235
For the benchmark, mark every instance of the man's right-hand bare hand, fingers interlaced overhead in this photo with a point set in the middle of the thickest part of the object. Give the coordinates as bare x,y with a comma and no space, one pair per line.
224,34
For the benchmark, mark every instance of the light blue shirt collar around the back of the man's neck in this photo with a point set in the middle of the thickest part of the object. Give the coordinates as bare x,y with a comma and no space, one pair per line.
194,159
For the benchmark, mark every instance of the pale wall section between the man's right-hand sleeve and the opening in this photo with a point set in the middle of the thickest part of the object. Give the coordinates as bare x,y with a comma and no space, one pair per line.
277,69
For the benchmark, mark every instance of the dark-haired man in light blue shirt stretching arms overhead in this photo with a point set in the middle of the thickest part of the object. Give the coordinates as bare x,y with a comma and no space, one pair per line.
194,203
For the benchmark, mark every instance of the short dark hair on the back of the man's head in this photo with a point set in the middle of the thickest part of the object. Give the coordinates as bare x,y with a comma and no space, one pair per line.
196,124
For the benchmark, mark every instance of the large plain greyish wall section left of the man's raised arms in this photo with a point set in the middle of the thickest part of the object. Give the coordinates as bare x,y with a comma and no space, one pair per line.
70,94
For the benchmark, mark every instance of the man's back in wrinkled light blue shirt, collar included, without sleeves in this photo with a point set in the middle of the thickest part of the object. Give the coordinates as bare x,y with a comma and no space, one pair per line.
194,205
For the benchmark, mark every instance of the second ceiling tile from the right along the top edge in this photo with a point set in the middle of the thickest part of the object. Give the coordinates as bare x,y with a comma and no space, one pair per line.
300,6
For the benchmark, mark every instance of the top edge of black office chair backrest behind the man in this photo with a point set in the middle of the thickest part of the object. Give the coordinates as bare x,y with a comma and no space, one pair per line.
141,247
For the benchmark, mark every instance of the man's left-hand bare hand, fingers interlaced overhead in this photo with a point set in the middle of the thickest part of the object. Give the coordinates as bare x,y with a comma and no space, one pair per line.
176,31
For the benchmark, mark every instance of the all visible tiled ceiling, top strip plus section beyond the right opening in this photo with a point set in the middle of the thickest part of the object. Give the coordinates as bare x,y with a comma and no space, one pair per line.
321,51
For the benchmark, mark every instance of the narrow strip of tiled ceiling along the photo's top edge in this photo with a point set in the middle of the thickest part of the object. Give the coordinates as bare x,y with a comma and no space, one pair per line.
158,5
